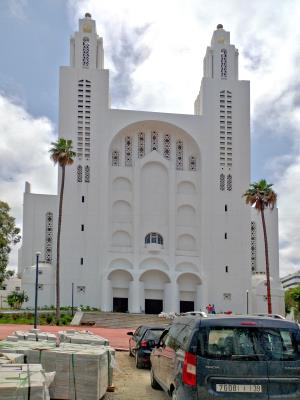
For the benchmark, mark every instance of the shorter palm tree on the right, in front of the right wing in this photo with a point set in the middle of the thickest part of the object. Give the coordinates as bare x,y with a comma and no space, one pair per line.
260,196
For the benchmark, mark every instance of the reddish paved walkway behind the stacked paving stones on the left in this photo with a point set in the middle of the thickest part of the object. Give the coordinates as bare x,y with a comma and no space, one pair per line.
117,337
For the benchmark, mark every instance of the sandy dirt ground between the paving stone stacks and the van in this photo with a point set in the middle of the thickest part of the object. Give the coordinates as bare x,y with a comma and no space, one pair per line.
132,383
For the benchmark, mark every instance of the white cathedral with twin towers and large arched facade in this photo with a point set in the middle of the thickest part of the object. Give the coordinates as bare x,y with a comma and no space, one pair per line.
153,215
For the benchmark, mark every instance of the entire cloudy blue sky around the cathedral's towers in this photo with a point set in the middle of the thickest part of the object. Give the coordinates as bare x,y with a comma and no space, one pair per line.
154,51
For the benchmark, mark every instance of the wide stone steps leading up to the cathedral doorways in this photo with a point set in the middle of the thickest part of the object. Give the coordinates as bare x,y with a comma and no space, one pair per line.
120,320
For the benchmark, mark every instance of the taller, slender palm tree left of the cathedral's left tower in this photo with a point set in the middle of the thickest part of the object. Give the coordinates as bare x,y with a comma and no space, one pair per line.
62,153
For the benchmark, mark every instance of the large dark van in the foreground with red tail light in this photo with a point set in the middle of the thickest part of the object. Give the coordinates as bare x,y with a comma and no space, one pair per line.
228,357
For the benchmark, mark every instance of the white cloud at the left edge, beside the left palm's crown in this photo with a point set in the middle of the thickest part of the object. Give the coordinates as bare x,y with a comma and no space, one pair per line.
24,144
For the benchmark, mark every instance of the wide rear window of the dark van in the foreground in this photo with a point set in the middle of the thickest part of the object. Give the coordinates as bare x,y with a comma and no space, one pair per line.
248,343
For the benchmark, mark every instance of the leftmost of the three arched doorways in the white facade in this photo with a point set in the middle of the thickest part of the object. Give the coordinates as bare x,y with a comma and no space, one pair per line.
120,287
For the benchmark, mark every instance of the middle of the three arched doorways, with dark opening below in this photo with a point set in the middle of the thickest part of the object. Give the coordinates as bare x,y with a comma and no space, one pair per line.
154,290
